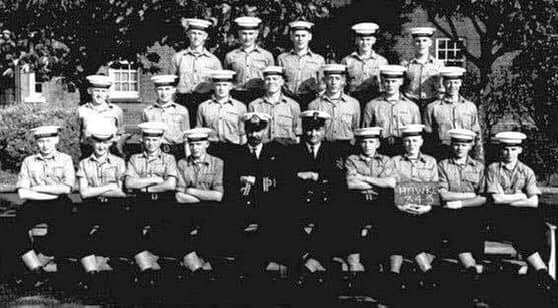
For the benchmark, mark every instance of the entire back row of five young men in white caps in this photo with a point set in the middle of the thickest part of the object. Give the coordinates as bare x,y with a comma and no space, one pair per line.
302,66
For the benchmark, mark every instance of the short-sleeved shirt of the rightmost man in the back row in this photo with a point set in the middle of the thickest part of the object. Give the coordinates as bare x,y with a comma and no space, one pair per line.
424,78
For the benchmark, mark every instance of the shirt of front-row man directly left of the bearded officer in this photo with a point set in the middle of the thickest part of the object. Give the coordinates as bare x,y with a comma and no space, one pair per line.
205,174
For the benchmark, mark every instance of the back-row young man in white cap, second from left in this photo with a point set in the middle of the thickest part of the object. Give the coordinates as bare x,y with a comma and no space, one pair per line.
248,61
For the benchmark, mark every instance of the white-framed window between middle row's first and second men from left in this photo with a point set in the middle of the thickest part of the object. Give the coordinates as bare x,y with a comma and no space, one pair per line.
128,68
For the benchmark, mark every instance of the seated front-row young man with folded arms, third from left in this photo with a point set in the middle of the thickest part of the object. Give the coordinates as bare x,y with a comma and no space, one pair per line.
151,175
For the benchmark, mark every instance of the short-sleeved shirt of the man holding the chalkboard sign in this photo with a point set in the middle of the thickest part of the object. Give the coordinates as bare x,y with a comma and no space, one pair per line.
422,169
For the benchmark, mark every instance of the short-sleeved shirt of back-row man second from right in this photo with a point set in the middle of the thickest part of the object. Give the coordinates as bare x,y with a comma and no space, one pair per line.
363,73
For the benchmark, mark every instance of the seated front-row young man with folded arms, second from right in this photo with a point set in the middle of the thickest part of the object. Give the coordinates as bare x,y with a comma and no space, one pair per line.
462,185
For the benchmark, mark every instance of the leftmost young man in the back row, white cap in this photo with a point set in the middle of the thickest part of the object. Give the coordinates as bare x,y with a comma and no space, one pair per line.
193,67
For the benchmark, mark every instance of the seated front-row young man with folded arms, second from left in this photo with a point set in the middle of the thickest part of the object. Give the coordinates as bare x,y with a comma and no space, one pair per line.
101,212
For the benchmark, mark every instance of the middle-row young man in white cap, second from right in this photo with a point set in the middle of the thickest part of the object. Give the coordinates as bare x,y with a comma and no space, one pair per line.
391,111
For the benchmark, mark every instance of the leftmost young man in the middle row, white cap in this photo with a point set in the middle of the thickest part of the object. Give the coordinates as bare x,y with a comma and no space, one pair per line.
99,109
